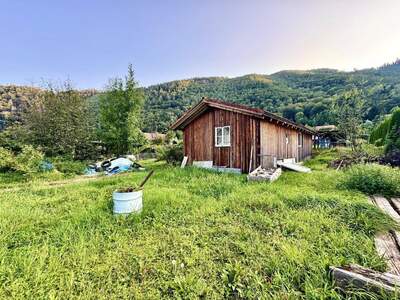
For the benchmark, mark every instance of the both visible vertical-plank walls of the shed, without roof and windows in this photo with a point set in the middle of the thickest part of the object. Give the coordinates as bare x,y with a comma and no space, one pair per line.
247,133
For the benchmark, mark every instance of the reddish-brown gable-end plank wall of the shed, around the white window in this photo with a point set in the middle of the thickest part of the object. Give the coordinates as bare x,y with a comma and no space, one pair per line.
245,135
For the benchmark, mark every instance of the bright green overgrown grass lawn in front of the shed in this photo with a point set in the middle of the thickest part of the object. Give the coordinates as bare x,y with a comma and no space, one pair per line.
200,234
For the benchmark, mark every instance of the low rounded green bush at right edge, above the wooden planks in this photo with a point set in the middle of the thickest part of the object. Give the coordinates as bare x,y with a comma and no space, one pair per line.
372,179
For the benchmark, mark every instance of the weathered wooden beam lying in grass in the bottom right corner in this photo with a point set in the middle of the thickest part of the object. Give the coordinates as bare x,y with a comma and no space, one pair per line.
357,277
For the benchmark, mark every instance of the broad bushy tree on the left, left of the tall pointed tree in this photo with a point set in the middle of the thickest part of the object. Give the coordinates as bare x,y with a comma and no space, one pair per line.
61,123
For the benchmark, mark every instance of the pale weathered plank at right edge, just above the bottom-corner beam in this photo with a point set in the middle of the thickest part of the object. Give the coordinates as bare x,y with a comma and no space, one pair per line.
386,247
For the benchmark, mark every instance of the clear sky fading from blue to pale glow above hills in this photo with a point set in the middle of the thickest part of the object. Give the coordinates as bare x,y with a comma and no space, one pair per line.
91,41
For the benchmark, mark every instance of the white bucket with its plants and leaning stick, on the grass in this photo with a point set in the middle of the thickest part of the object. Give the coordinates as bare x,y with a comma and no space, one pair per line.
129,200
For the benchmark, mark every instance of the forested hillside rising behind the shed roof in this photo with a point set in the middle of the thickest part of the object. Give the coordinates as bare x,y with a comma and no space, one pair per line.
303,96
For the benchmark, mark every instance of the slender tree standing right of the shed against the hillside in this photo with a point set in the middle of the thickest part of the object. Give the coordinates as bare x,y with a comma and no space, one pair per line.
348,108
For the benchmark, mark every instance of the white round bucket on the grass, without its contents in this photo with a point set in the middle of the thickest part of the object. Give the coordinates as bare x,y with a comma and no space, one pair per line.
126,203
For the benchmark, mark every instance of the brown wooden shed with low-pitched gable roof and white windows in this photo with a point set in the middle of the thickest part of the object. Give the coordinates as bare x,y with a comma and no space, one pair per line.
237,136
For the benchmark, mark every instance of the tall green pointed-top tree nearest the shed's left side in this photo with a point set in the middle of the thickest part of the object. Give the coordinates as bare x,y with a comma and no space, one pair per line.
119,115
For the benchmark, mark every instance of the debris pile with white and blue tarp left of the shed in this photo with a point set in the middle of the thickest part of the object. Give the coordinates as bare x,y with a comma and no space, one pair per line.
113,166
